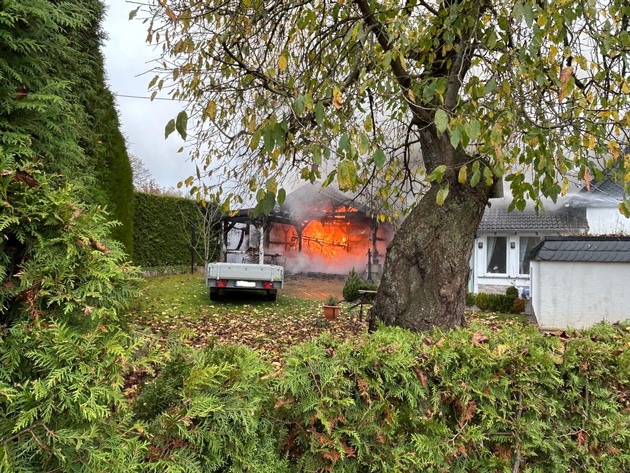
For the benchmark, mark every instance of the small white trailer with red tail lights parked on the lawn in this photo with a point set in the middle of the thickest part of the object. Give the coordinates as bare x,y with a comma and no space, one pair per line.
244,276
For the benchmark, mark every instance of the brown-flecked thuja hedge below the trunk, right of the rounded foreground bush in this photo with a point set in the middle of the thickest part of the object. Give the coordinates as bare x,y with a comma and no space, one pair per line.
467,400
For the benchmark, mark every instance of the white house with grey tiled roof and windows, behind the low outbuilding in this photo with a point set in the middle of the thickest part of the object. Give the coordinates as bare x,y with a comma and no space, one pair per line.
505,239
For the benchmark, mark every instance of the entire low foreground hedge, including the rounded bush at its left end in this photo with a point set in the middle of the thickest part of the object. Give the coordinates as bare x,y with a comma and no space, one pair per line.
467,400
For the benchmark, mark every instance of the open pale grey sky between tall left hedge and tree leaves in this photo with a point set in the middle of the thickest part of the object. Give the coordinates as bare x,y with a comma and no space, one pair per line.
127,59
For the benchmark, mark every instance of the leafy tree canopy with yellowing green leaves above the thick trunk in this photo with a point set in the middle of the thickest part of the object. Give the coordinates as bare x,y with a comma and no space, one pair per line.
398,93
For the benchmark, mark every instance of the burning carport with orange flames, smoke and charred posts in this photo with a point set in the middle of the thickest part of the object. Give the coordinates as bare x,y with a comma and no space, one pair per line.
315,230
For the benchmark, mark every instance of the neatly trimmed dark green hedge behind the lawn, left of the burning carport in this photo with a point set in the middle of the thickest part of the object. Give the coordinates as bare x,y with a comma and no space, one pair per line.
163,229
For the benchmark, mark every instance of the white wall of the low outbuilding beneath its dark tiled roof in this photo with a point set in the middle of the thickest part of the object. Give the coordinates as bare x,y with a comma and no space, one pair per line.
579,295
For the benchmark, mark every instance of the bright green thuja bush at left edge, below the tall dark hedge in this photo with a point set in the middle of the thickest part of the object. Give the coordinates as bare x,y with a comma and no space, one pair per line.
64,289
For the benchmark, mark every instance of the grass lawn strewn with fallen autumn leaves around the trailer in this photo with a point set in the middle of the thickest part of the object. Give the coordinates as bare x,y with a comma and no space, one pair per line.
179,306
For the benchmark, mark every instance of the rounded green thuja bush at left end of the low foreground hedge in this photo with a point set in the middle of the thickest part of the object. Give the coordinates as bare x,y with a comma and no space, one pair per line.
212,410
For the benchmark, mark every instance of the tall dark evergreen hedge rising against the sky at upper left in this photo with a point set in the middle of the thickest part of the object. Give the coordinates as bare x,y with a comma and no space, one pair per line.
55,107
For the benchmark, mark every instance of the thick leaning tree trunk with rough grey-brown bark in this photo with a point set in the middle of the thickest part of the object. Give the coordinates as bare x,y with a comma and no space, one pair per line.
426,271
